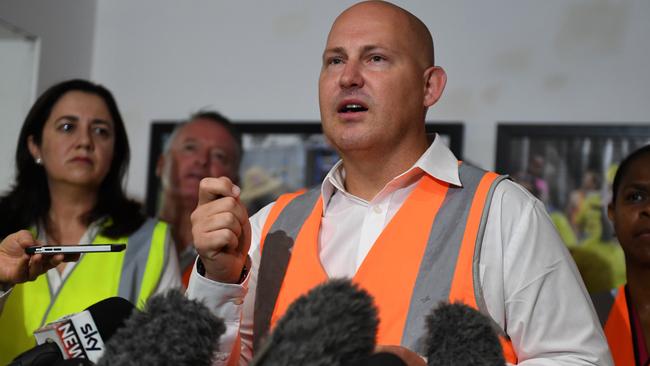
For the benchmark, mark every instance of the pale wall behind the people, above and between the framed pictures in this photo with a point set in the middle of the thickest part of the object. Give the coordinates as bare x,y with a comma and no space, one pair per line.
533,61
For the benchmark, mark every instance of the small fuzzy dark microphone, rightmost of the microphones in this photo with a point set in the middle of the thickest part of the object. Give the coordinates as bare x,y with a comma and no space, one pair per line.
460,335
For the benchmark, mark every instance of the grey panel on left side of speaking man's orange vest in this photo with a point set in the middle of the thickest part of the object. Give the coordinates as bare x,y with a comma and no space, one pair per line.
275,259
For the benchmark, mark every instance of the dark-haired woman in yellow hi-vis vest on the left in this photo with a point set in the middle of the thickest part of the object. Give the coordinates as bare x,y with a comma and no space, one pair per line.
71,159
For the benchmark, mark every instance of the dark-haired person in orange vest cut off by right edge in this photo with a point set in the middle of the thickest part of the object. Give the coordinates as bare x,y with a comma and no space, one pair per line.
626,316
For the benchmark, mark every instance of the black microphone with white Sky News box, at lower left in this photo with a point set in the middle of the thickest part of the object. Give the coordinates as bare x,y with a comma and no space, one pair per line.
77,336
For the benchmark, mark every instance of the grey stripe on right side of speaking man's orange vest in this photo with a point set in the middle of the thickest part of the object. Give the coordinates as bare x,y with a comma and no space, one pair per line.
436,272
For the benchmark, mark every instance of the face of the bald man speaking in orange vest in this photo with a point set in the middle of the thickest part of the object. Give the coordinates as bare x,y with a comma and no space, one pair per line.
372,83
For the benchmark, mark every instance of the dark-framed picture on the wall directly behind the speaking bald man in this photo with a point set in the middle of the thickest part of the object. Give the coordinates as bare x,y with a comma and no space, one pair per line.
278,157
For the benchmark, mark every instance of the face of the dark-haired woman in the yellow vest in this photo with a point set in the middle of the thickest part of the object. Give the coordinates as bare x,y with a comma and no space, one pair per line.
77,142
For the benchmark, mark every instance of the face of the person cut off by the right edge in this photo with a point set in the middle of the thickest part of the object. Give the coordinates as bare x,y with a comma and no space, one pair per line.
630,214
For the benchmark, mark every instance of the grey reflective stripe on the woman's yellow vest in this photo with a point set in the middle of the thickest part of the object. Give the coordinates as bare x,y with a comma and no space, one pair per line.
135,261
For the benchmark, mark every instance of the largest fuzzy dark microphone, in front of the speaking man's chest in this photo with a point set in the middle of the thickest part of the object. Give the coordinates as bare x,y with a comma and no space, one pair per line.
334,323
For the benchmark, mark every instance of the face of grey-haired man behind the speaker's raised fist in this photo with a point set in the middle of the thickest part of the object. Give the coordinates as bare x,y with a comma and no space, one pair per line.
202,148
